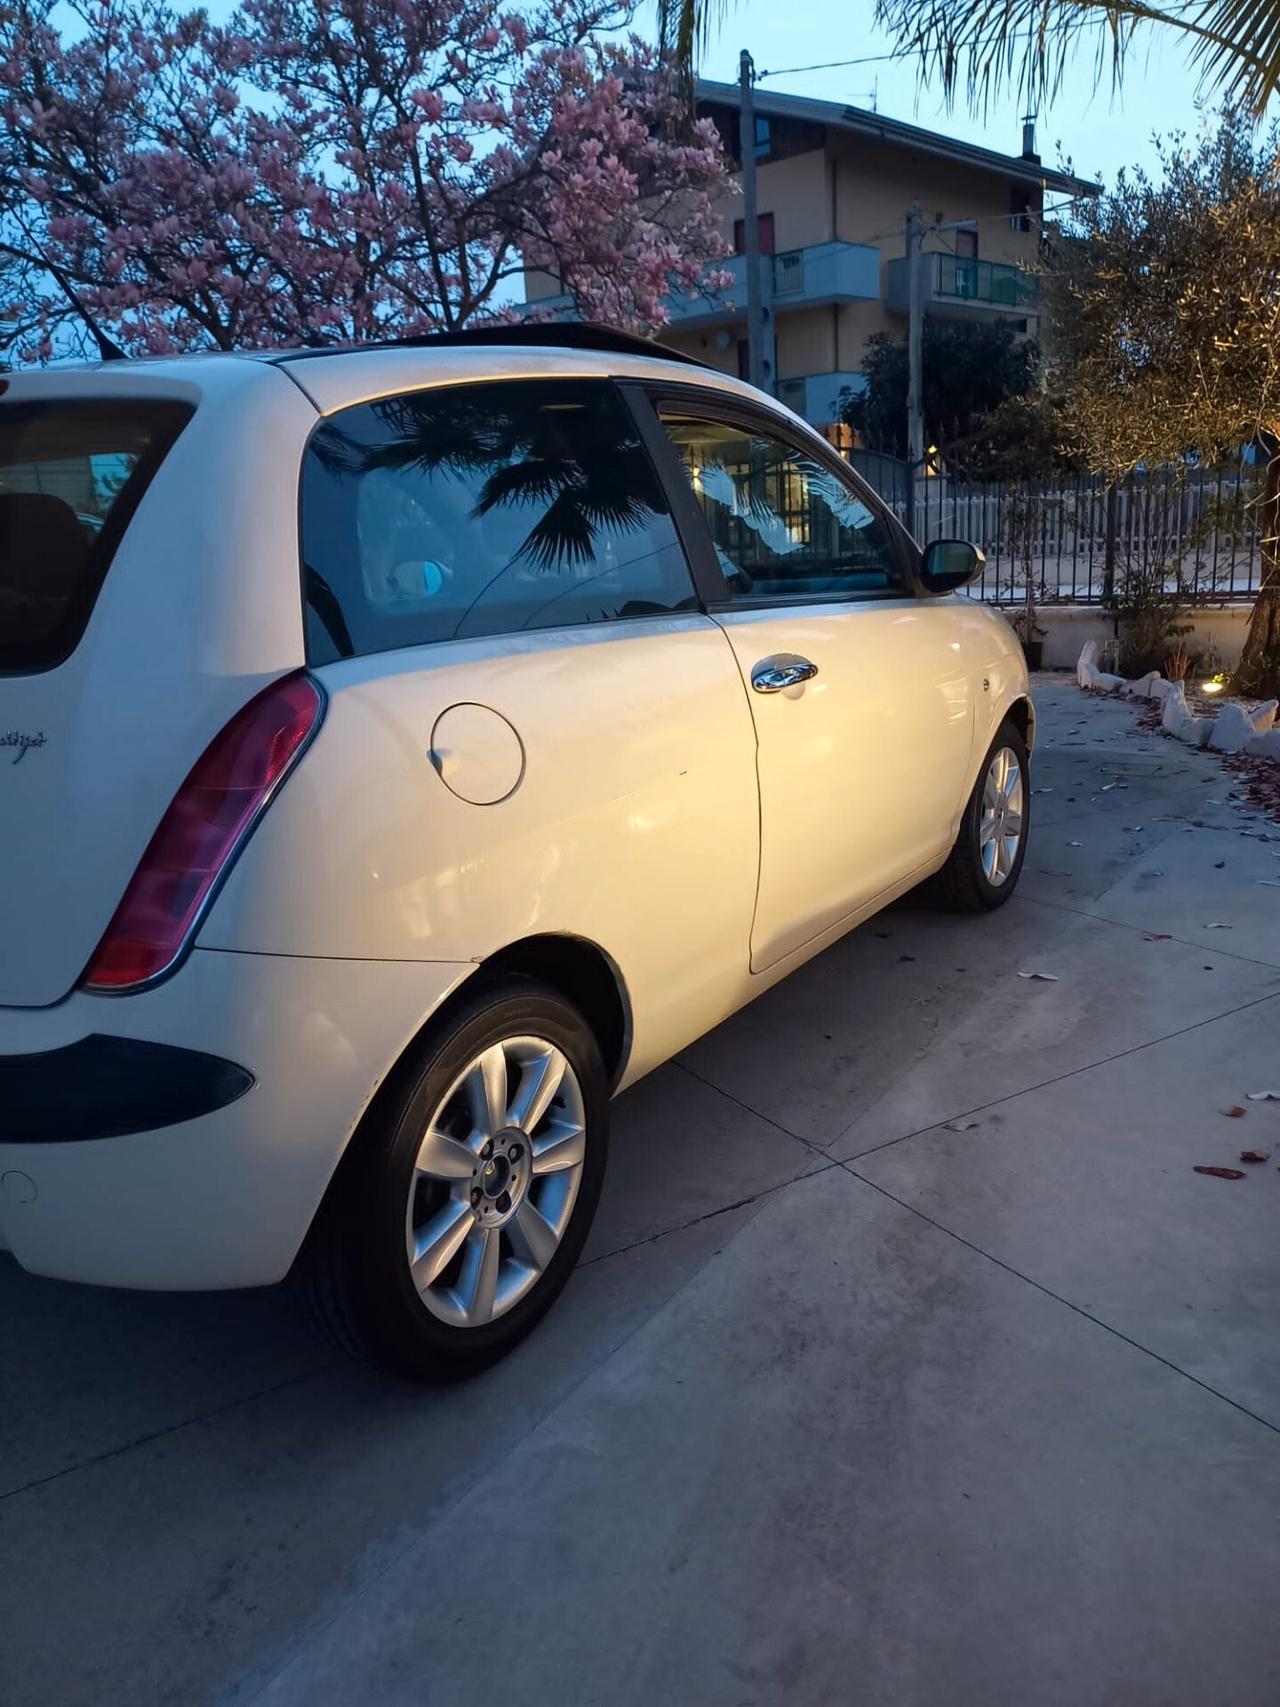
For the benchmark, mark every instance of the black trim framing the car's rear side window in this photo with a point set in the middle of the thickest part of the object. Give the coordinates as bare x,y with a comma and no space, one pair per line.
313,585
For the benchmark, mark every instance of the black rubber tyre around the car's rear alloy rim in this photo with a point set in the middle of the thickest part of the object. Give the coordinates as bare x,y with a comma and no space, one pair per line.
356,1267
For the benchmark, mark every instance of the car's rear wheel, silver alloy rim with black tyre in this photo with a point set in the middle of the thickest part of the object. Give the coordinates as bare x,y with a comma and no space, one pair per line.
460,1216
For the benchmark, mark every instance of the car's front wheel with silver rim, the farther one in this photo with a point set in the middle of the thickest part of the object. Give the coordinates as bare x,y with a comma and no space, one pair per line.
987,859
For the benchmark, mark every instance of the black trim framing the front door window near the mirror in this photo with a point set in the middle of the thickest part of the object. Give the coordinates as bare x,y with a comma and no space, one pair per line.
646,399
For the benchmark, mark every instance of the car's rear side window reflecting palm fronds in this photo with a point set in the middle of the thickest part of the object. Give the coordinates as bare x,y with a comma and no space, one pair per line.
482,510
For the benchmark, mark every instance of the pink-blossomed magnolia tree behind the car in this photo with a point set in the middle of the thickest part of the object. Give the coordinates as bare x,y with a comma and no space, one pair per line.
323,170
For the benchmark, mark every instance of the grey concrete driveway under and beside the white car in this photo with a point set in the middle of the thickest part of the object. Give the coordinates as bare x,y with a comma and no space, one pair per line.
846,1406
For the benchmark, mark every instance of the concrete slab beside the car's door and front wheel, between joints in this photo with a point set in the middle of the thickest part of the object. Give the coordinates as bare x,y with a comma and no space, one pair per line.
871,1046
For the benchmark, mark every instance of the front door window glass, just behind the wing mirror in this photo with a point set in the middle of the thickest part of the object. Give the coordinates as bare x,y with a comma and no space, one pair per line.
783,523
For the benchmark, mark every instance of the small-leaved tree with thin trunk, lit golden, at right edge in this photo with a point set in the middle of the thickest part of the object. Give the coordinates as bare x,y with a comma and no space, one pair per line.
1167,332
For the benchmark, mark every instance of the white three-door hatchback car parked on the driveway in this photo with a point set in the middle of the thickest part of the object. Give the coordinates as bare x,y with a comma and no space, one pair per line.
404,750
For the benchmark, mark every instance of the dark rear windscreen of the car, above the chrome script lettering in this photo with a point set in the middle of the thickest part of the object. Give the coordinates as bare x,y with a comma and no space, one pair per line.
71,479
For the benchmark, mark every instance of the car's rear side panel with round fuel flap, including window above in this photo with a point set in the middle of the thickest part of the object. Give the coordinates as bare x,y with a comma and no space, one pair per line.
533,728
